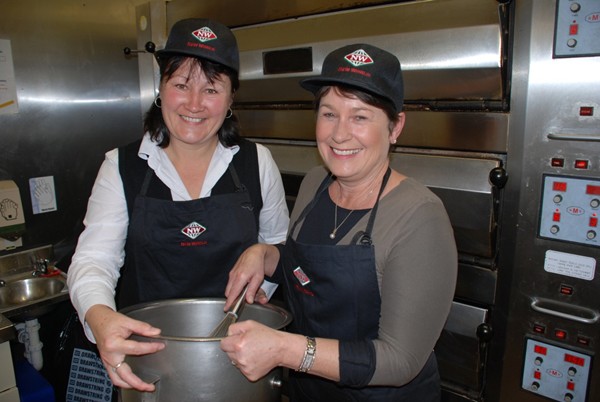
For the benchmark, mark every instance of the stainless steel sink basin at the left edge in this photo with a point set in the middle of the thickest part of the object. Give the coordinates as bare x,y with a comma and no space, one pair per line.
25,296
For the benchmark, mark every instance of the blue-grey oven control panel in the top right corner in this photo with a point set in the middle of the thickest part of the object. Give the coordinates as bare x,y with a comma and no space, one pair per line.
577,28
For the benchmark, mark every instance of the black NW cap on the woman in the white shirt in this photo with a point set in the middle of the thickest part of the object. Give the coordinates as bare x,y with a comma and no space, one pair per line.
203,38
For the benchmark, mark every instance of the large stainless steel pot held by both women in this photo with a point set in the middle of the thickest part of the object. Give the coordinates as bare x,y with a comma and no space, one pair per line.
193,367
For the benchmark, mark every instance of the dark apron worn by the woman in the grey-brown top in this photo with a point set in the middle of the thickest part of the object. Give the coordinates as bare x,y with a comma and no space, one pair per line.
333,293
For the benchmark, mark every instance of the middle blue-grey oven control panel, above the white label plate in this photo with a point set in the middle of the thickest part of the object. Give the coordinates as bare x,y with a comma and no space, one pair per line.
570,210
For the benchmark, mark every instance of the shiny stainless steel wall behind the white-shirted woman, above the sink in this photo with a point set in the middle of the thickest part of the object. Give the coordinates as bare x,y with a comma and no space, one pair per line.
78,97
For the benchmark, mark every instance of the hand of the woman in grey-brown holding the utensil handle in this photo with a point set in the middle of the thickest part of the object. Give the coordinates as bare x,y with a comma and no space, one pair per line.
251,267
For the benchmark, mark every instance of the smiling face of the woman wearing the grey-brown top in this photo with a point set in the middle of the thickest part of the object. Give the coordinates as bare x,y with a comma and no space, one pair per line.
353,137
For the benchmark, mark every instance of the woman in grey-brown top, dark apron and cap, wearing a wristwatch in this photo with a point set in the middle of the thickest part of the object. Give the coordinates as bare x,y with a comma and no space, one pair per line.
369,265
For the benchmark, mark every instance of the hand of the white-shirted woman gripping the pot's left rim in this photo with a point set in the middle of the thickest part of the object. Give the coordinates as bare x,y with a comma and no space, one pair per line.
112,330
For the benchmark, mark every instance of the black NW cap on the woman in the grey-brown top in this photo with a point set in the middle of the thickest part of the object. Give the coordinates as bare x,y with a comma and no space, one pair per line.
365,67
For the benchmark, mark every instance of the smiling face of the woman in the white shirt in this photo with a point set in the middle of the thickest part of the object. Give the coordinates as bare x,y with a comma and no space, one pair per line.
194,108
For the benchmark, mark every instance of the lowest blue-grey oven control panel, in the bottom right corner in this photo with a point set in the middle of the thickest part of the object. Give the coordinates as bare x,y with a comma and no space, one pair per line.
554,372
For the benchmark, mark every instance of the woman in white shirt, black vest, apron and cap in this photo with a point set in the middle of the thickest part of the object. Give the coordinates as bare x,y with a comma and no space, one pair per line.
170,214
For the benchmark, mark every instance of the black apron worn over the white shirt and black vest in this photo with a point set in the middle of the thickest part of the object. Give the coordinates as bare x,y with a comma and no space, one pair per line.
179,249
